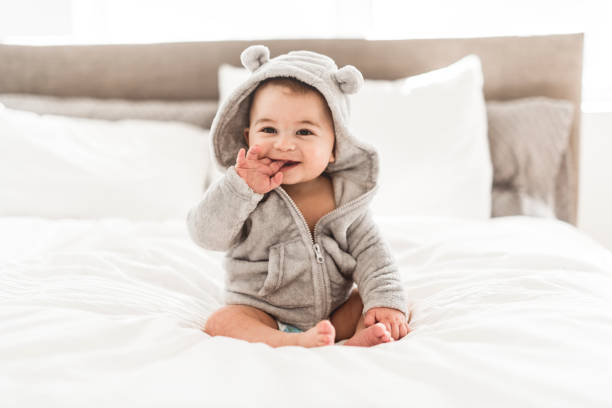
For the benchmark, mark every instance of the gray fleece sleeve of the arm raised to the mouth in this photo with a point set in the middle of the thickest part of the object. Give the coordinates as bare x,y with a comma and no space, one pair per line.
216,222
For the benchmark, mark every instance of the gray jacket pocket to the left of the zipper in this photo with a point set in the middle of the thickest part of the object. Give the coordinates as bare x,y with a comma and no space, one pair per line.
289,280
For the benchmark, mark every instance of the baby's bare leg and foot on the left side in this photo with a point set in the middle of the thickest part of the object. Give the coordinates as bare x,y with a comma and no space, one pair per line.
254,325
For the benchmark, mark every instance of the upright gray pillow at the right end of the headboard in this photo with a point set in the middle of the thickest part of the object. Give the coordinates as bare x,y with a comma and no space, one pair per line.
528,141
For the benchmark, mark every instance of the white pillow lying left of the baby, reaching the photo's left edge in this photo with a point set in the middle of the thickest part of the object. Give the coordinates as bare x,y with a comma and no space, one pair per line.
60,167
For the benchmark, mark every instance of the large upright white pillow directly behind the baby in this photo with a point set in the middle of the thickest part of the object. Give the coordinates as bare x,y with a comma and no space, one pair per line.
431,134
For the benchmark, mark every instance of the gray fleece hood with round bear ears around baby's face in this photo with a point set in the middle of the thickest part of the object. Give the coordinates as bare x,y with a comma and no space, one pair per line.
355,169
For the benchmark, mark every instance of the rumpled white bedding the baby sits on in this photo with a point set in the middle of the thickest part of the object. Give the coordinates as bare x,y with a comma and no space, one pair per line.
513,311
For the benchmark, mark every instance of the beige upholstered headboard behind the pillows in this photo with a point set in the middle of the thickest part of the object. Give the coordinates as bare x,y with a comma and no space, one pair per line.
513,67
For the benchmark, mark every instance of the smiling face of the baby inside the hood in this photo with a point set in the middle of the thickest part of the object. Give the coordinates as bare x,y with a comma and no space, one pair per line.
292,126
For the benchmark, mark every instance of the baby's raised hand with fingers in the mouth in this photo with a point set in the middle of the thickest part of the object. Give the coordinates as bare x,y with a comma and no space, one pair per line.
261,175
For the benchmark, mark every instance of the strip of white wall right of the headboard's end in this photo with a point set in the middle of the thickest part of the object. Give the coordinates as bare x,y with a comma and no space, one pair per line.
595,194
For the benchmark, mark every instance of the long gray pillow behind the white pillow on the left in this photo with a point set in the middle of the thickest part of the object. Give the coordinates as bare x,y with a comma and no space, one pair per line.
198,112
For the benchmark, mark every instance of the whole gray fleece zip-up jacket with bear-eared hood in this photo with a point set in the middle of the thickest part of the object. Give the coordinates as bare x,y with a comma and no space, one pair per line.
272,260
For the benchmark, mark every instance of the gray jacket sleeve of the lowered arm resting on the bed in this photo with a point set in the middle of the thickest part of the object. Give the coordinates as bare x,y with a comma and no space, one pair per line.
376,273
